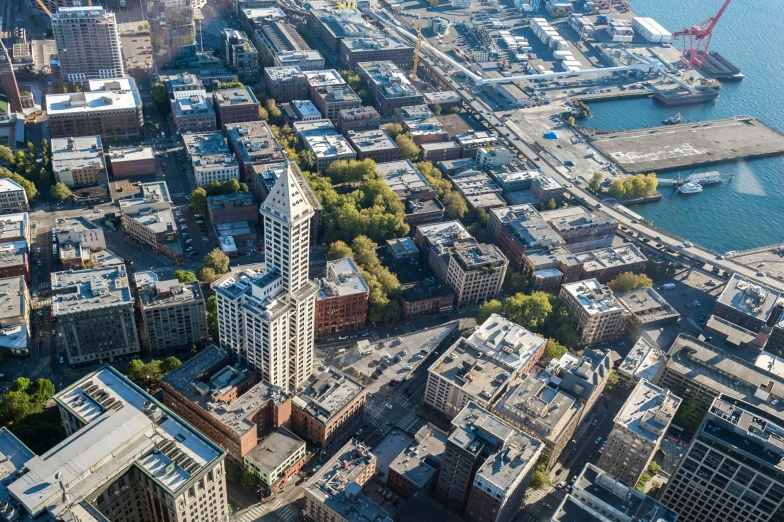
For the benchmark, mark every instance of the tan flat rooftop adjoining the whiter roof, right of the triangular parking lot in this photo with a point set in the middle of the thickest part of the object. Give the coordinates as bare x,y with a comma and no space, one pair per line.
464,366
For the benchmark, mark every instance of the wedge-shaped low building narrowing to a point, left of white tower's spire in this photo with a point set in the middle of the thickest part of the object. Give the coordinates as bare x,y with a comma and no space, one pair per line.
150,220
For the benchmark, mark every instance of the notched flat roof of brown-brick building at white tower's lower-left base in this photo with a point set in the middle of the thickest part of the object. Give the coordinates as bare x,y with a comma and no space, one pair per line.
208,375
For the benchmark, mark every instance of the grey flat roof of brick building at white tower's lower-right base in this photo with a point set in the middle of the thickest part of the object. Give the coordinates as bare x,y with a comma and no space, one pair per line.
327,394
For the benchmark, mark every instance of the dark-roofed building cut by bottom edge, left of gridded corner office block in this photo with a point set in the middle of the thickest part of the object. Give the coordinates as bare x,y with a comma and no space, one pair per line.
597,496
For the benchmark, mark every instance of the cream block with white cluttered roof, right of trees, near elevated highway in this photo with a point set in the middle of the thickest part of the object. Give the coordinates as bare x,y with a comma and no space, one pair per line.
597,314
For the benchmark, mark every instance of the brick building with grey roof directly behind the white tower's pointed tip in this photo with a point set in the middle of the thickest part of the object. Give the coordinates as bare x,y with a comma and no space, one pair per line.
253,144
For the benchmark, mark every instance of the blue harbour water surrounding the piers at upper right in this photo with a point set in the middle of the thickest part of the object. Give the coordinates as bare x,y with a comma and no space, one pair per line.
748,212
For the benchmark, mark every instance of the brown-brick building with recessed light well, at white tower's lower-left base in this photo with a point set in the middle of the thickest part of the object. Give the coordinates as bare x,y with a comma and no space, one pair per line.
208,391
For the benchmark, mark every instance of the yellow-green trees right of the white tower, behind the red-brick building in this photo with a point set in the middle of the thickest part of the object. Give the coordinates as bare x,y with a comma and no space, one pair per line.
383,301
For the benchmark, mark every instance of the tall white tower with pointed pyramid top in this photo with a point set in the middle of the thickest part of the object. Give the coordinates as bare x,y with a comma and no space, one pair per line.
266,316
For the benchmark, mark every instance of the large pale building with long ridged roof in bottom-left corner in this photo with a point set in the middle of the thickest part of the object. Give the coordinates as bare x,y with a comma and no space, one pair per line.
126,457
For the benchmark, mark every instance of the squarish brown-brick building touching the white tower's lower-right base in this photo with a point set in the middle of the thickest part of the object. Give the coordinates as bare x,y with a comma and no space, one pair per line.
329,408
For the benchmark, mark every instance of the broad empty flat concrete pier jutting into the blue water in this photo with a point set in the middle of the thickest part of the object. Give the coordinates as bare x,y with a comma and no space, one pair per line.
688,145
